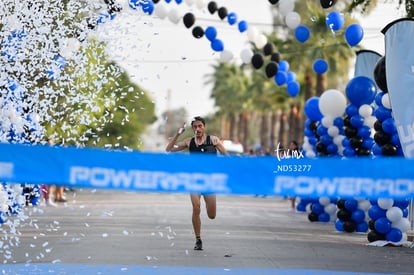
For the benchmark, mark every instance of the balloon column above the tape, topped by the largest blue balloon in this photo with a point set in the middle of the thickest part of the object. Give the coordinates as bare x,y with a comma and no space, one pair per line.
359,120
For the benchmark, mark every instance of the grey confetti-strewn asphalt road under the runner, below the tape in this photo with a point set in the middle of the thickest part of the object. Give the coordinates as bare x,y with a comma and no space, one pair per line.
108,232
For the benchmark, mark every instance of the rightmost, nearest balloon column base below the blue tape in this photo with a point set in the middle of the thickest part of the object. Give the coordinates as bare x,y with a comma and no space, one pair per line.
388,220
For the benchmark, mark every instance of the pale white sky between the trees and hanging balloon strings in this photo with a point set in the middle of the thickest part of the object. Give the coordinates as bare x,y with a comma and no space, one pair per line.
164,58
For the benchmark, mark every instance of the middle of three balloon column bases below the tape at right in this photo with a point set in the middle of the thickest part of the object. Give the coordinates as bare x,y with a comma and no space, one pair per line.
352,215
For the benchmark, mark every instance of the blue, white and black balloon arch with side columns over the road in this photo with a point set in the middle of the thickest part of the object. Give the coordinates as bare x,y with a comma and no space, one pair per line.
363,128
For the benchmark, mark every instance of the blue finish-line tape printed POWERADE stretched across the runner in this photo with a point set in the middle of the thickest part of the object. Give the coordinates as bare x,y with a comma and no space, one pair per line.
180,172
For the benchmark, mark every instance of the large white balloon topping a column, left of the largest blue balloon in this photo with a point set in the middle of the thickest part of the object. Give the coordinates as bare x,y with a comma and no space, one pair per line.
332,103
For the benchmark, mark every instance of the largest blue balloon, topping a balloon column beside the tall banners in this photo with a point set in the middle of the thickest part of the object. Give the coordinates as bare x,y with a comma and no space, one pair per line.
361,90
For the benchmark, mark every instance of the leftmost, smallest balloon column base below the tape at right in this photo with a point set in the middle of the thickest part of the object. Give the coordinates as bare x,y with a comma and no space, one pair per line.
322,210
